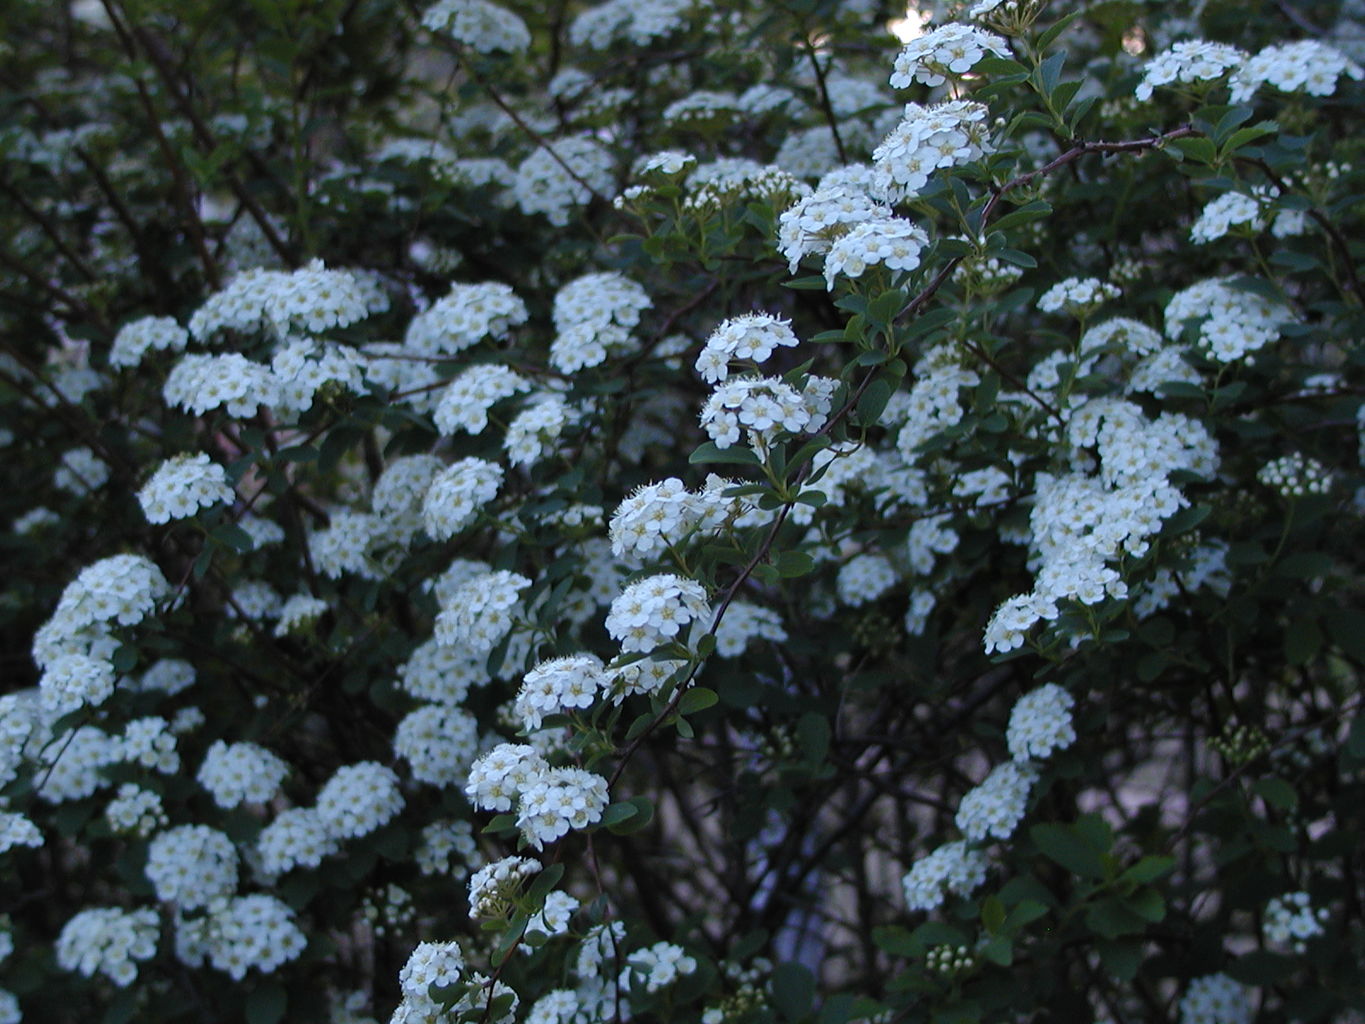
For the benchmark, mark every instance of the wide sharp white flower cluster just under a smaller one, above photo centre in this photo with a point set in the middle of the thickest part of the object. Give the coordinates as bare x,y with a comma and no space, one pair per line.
762,408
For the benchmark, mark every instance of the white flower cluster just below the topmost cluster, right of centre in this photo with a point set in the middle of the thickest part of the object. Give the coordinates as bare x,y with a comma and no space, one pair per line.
929,139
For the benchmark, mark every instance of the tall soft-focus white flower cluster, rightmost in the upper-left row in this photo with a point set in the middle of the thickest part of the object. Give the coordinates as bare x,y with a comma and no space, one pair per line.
594,317
